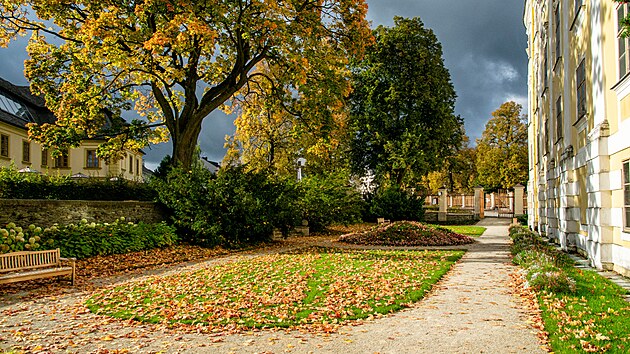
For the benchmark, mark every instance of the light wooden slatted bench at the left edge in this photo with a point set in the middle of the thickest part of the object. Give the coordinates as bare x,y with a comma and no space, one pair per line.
28,265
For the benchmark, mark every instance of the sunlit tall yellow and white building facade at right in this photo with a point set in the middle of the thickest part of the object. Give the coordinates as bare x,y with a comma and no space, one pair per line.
579,128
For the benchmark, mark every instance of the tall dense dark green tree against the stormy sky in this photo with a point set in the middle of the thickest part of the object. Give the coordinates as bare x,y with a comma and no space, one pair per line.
402,107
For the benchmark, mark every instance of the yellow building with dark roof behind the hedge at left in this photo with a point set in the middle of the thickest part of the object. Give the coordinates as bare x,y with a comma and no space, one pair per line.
18,108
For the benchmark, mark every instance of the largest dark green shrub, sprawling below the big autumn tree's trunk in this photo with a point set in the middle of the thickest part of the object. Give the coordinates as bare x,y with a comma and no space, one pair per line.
231,208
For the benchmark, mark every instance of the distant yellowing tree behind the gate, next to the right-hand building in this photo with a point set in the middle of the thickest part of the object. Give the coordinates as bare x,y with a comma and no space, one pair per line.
502,149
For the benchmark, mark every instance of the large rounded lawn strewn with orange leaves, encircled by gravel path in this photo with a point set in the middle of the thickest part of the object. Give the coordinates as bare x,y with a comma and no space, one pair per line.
317,286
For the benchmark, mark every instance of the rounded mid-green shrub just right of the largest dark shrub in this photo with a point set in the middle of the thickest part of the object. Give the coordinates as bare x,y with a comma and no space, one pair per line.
329,199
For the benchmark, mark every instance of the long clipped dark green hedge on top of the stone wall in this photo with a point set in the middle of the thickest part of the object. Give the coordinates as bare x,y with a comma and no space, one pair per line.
16,185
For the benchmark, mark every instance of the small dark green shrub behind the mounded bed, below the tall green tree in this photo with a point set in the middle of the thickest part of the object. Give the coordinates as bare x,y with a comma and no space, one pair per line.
396,204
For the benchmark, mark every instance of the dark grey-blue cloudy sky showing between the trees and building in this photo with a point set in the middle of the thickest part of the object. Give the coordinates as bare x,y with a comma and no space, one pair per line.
484,48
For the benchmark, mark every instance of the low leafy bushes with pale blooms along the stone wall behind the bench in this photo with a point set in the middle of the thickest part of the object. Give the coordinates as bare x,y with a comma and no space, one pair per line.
89,239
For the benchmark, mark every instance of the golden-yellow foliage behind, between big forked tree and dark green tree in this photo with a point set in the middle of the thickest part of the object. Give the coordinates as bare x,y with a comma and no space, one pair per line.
269,137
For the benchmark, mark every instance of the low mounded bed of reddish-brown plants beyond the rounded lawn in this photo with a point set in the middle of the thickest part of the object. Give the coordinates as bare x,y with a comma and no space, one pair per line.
406,233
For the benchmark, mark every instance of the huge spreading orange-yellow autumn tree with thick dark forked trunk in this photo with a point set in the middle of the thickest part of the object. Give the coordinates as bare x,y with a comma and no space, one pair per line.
175,62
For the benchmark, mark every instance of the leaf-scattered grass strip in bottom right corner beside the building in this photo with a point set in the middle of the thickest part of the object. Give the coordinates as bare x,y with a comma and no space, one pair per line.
594,319
